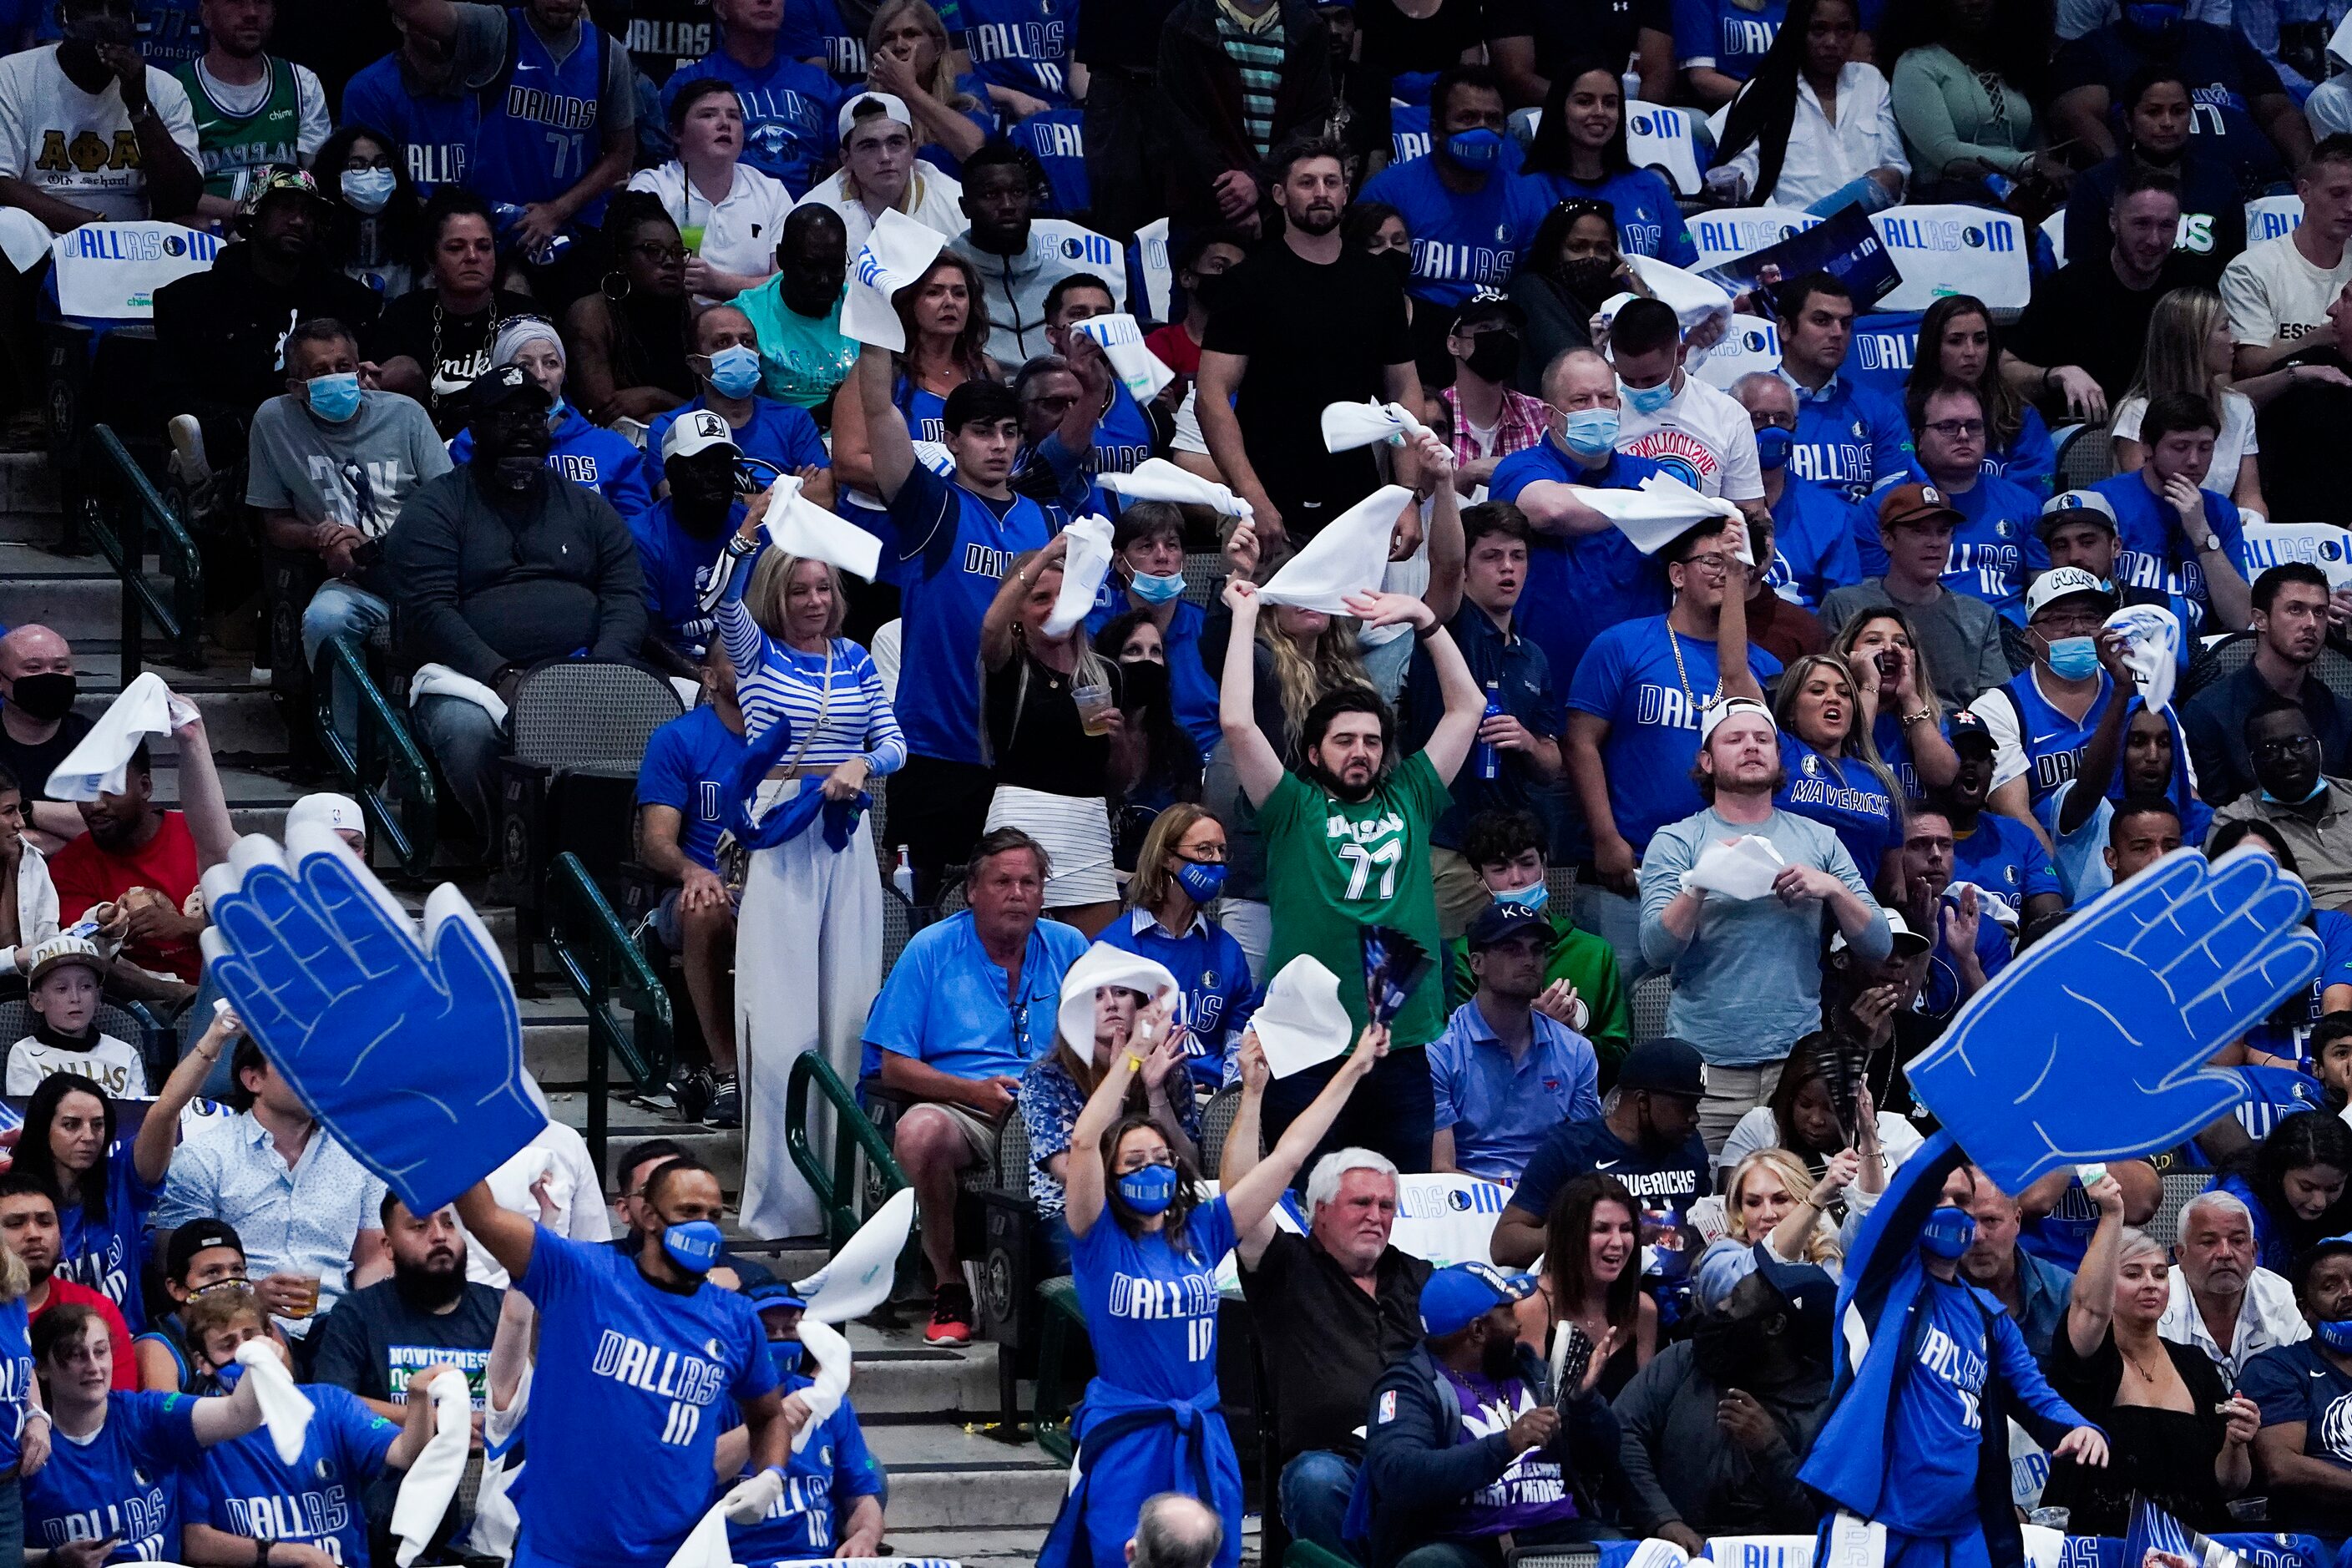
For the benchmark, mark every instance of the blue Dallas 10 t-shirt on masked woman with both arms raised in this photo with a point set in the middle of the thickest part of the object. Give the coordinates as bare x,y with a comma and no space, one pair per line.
1151,1311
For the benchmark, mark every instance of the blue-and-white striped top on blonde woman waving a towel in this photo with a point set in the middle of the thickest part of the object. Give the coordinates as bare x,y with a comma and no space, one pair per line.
777,681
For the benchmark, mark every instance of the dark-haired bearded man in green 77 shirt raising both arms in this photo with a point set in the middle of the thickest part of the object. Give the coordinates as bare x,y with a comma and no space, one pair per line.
1349,847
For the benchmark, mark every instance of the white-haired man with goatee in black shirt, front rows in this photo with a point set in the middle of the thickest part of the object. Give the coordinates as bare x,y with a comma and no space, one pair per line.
1332,1311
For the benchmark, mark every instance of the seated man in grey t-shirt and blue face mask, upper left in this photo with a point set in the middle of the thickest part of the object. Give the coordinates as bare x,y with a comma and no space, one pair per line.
330,467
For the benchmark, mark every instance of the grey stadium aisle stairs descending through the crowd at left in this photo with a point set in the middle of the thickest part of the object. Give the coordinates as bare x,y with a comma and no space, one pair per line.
958,1492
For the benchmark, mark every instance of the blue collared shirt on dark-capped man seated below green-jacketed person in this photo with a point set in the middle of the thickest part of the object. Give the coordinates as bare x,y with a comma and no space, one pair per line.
1497,1108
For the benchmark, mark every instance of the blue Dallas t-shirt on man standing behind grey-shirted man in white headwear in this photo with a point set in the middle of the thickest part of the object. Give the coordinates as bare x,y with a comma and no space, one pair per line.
1652,704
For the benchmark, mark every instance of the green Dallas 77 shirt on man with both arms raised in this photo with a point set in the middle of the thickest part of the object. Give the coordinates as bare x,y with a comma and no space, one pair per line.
1339,866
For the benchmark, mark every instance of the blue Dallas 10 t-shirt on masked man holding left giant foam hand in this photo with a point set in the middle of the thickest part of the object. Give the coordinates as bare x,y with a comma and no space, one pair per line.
627,1383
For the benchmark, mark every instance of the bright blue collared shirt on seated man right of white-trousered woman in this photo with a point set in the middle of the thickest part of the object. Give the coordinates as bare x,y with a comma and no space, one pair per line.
949,1007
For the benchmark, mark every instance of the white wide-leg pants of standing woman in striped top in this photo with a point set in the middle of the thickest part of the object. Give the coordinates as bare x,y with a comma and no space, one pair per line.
808,970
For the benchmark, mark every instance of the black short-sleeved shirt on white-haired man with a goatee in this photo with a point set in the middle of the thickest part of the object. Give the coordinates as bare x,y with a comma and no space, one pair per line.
1325,1339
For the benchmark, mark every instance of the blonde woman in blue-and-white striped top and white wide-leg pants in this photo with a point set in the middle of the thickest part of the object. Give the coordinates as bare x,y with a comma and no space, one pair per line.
810,934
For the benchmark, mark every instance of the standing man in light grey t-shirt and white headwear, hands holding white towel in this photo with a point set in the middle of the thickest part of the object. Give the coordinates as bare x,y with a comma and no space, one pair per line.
1749,970
